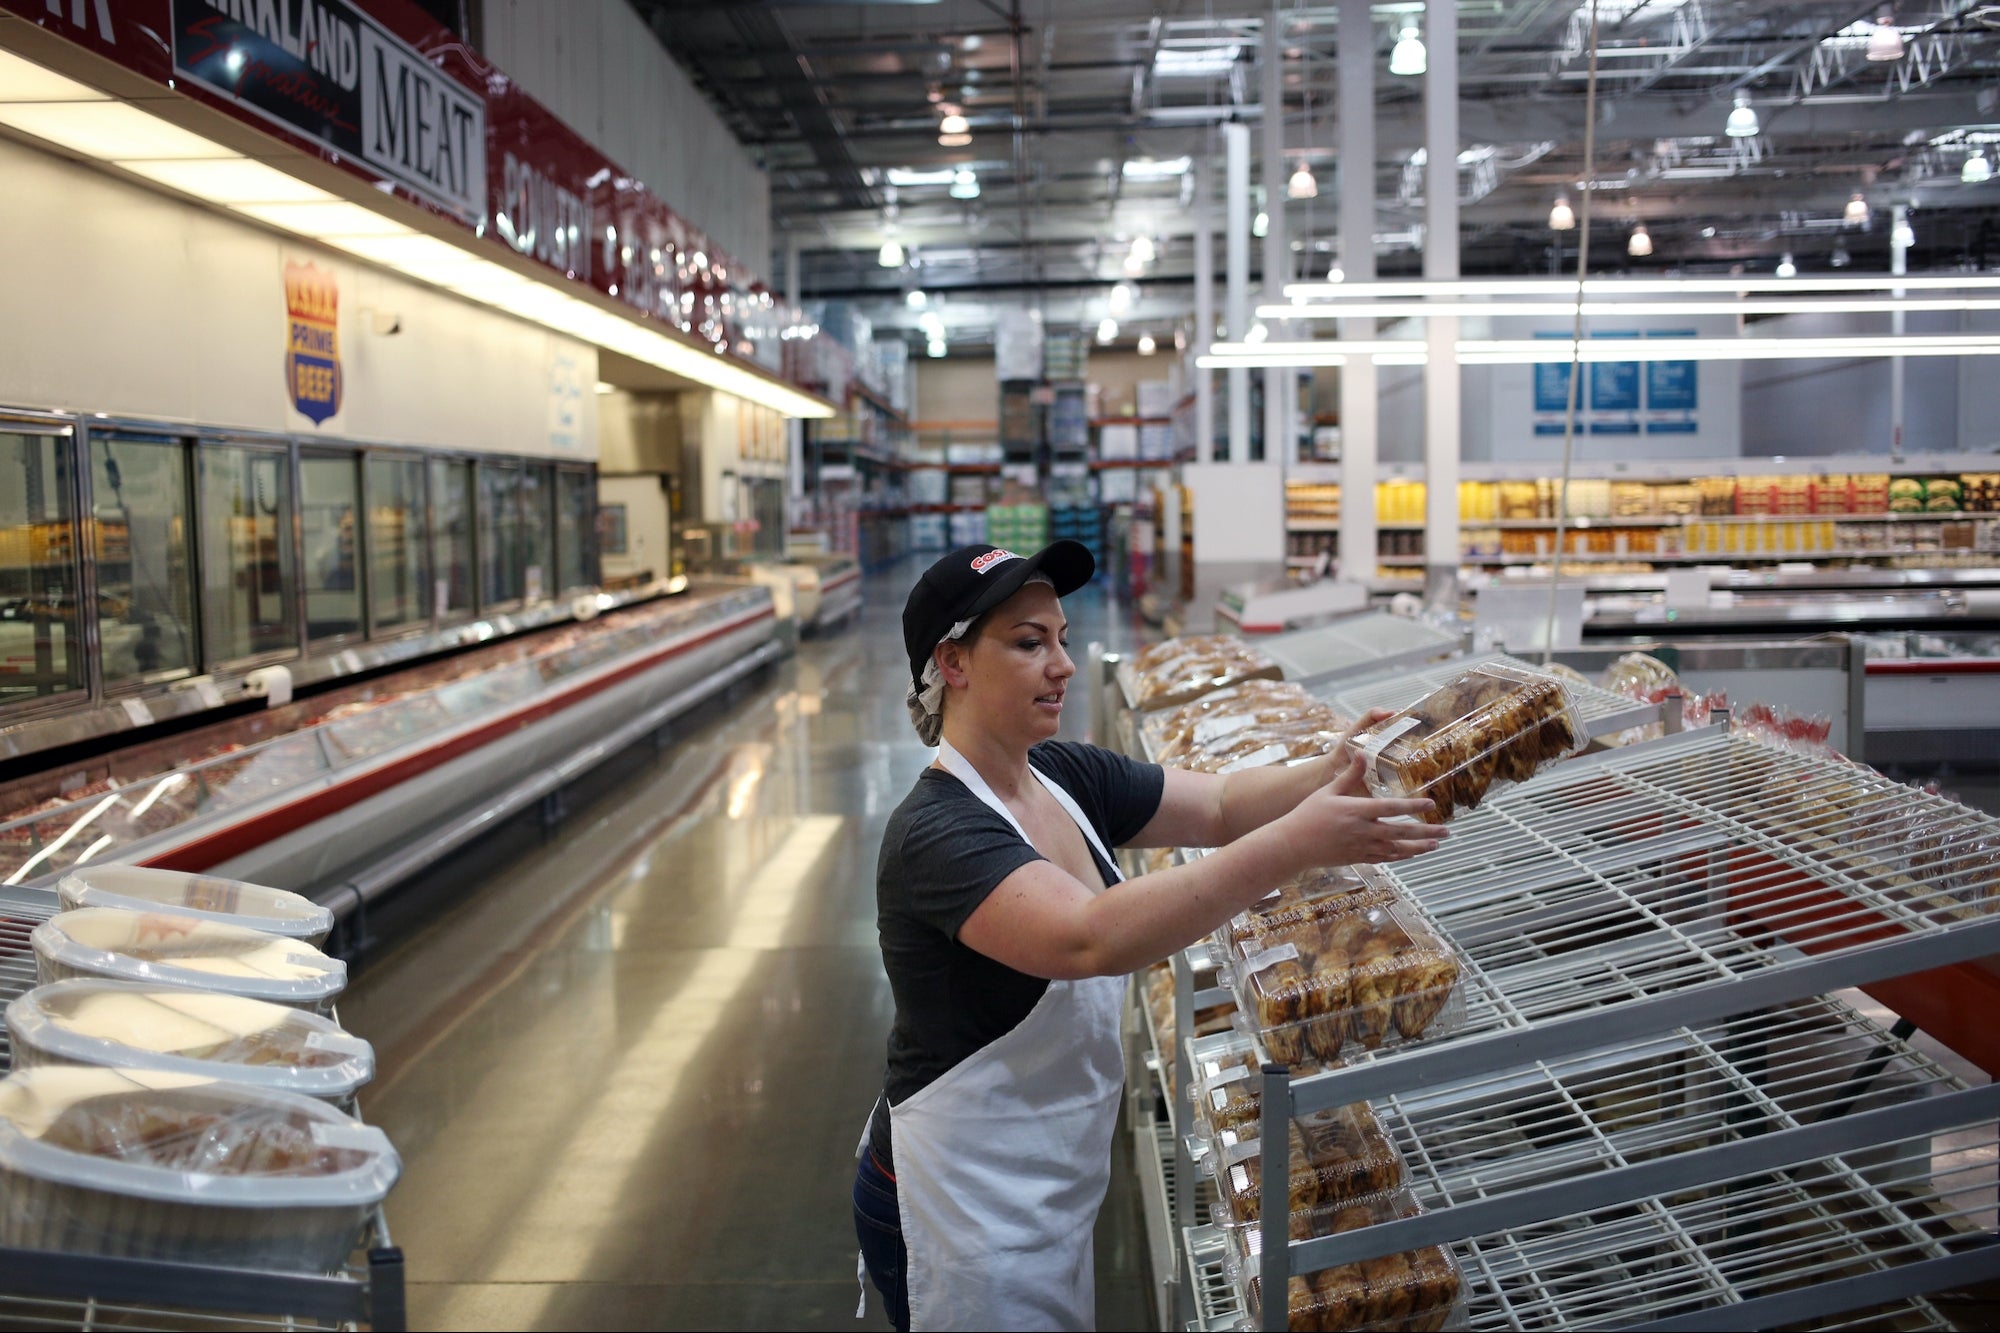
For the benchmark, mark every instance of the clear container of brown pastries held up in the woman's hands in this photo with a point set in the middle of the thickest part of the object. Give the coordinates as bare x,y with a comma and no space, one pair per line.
1489,728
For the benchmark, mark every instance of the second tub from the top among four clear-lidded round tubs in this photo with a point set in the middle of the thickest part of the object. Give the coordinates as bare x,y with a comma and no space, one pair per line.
187,952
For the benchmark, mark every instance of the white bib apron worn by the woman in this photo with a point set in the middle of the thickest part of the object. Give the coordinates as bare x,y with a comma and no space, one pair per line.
1003,1164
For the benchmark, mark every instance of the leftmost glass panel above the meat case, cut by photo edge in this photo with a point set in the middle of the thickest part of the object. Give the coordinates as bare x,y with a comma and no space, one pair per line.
41,651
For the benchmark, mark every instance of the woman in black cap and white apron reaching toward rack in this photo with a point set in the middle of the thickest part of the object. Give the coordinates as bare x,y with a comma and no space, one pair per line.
1007,934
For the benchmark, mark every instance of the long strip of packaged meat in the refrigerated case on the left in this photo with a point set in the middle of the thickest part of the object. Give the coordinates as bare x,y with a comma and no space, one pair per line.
127,818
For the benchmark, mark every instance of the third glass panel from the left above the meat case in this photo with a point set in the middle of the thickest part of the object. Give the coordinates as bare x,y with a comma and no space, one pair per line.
247,553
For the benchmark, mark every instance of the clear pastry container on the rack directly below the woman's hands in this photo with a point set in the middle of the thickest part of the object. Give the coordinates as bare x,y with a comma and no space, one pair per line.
1375,978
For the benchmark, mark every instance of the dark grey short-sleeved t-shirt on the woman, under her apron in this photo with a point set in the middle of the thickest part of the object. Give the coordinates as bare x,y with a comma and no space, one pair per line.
943,854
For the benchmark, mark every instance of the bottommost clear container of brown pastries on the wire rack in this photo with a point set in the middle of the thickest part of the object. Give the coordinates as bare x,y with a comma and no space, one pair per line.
1417,1290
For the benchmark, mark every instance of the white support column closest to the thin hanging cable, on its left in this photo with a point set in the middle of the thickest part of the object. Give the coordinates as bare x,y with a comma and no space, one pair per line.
1441,261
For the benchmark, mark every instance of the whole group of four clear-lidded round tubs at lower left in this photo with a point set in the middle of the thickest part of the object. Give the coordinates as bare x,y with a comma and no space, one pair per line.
179,1088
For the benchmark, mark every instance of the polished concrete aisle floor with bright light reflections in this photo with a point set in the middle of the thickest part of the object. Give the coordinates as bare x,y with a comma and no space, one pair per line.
629,1070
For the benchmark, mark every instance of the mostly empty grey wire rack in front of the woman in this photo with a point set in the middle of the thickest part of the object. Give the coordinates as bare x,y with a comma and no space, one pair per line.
1685,906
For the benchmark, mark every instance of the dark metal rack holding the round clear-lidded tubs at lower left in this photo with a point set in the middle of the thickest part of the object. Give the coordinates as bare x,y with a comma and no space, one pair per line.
47,1290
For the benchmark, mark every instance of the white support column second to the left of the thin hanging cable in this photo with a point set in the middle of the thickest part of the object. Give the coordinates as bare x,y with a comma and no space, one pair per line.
1357,259
